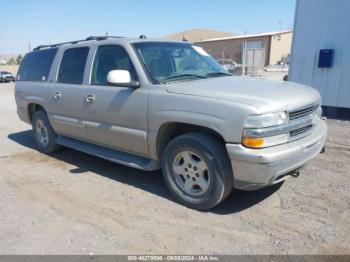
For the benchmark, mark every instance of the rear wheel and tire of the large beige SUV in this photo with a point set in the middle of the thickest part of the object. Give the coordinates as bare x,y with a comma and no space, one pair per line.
43,133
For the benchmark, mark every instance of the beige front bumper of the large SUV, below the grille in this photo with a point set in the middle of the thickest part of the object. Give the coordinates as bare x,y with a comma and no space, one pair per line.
257,168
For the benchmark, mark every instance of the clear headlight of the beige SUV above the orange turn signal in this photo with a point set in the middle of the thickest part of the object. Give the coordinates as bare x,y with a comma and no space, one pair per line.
267,120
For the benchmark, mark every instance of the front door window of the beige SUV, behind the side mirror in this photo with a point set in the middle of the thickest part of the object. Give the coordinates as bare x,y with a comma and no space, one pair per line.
108,58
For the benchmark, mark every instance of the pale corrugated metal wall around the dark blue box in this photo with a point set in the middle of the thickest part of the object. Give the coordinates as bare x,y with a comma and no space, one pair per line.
323,24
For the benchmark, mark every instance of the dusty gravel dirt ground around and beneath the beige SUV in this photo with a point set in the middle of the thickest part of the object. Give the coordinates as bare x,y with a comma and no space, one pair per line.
73,203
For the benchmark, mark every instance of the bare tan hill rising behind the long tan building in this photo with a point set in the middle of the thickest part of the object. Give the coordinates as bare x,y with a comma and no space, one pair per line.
195,35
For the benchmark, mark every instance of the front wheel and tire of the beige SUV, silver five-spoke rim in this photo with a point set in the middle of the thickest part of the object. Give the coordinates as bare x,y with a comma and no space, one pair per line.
197,170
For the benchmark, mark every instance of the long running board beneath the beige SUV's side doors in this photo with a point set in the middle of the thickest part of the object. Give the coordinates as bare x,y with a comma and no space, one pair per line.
113,155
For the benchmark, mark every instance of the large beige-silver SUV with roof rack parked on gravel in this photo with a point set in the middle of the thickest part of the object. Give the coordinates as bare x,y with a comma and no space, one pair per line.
151,104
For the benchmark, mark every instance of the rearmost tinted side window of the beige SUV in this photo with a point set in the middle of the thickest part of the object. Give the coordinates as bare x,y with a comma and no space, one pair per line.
36,65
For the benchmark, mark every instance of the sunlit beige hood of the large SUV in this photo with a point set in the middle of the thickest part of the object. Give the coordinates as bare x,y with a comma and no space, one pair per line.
265,95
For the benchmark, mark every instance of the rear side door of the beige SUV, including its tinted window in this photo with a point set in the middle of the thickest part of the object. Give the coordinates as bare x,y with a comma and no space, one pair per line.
67,93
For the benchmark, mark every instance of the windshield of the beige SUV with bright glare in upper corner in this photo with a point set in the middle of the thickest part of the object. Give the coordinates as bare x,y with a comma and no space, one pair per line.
166,62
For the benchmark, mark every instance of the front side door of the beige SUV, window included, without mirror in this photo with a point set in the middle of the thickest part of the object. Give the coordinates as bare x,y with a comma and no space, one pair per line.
115,116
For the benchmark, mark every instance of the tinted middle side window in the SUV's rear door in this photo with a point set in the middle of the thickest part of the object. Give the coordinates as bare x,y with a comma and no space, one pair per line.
73,65
